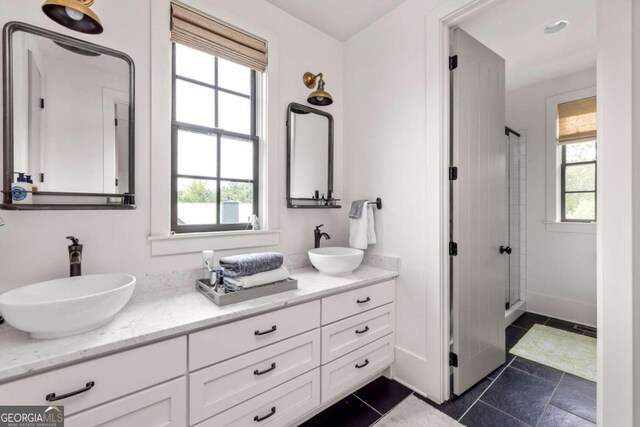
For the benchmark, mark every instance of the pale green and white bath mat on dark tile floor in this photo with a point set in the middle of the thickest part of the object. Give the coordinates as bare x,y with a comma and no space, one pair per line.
567,351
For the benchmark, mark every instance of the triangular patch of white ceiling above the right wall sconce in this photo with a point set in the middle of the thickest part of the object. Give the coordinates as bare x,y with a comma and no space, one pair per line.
338,18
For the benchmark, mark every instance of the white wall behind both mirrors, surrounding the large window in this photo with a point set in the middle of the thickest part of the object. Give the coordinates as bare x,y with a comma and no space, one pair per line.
33,245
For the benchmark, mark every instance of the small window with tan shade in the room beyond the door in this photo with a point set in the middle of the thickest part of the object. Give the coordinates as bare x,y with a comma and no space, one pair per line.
577,138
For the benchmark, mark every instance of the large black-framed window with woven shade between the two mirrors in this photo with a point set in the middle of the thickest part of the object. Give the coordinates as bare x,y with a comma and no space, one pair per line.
215,145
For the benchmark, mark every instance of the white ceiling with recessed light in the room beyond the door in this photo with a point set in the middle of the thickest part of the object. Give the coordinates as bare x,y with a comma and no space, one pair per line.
513,29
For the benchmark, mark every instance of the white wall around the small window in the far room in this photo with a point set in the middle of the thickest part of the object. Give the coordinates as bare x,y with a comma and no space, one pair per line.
561,266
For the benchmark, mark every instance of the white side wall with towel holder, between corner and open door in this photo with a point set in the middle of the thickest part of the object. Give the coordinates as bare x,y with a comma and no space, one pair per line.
386,156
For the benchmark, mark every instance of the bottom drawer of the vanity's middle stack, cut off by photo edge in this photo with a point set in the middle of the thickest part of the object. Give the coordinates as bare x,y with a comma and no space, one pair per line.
277,407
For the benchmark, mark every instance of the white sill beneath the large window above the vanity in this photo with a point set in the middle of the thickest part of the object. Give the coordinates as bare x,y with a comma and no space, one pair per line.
196,242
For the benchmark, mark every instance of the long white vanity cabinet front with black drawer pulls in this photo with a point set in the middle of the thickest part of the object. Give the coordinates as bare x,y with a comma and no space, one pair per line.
273,369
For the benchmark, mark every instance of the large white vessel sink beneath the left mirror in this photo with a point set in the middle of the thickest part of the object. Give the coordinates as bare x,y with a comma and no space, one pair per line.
63,307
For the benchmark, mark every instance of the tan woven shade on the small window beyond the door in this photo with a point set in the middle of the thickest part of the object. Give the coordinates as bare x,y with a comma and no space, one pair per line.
577,120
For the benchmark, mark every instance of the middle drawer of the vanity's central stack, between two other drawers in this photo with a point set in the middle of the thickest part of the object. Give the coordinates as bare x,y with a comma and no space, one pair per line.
219,387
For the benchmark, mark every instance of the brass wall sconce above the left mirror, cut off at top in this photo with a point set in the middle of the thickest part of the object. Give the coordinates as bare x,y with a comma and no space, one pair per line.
73,14
